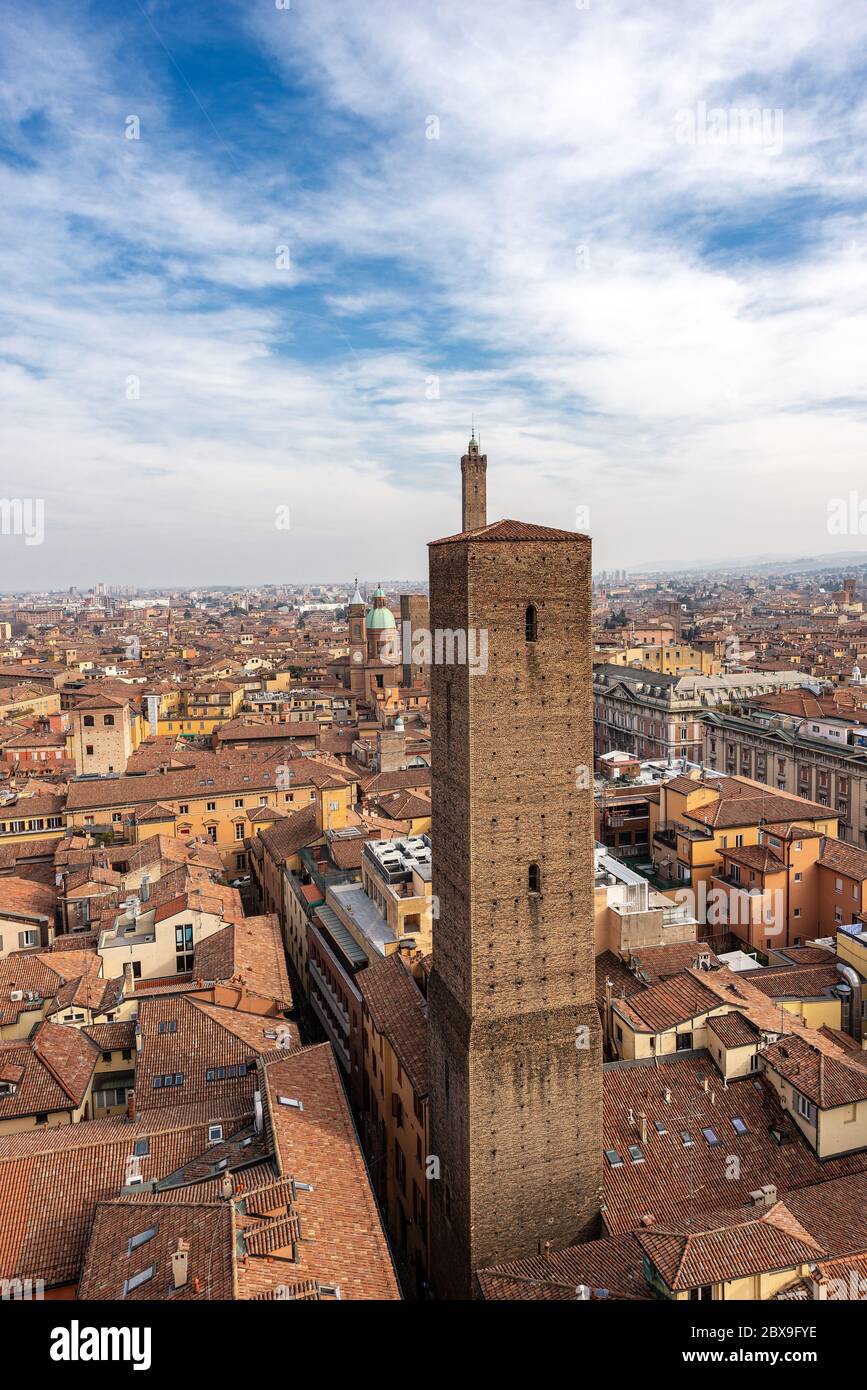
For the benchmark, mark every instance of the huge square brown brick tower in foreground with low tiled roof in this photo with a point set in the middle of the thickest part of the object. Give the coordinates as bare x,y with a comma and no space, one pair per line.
516,1060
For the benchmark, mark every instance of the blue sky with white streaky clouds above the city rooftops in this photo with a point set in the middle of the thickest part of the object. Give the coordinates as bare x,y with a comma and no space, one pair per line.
280,254
